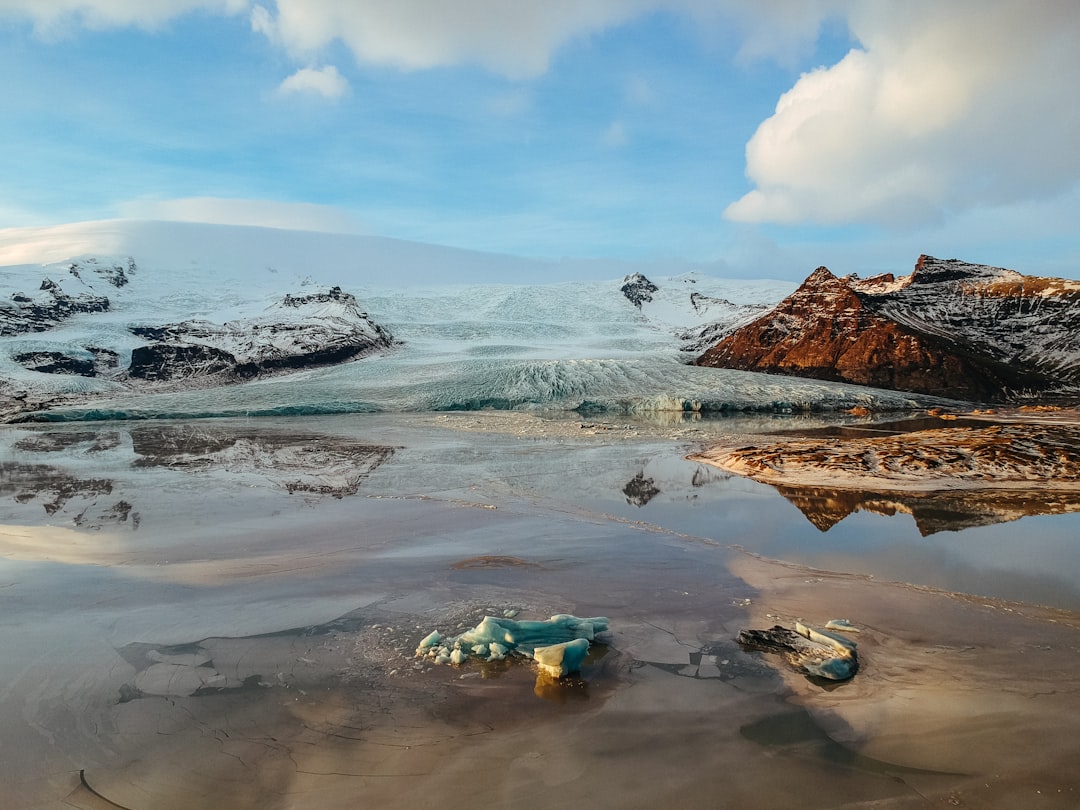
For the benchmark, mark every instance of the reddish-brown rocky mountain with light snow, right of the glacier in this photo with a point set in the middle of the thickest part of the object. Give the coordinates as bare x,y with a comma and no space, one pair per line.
951,329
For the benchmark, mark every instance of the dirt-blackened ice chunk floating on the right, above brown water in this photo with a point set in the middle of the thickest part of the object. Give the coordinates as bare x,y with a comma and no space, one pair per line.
815,653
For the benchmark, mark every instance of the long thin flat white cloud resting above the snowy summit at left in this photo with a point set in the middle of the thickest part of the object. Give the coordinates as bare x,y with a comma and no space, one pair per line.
261,213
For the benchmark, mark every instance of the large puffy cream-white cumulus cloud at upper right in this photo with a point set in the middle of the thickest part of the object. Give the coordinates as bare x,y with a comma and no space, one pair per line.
943,109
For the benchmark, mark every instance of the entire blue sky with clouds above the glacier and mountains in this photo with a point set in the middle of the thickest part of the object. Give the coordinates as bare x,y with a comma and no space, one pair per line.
753,139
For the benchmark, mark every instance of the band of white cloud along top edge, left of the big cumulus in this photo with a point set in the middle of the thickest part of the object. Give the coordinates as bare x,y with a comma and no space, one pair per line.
515,38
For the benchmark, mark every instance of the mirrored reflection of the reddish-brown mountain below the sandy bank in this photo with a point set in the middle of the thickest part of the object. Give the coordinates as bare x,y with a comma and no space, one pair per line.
934,511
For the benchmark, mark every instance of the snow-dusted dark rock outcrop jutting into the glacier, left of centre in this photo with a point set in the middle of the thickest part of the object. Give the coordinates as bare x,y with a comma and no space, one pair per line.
301,332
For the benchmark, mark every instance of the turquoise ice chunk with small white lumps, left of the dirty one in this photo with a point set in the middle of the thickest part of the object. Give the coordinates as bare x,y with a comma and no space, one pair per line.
559,645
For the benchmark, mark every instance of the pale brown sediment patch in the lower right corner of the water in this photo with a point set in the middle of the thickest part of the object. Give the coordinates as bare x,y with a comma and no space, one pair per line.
948,683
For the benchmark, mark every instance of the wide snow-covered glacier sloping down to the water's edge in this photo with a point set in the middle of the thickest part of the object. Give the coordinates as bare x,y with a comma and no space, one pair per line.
463,331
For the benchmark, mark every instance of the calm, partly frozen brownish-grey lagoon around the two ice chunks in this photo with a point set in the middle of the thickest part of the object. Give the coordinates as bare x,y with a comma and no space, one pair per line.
224,614
